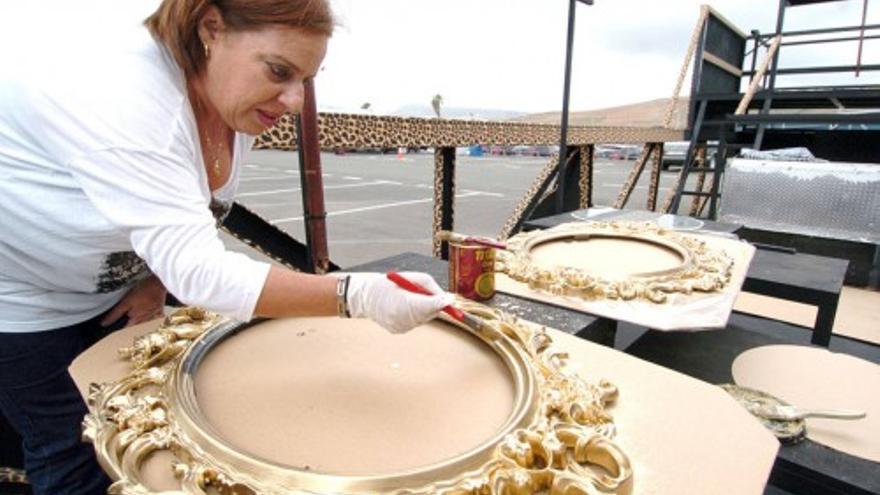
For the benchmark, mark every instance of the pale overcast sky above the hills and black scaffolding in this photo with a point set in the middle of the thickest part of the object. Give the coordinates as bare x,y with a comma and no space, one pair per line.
500,54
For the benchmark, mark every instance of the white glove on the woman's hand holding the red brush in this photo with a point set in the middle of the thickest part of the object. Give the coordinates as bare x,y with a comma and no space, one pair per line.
373,296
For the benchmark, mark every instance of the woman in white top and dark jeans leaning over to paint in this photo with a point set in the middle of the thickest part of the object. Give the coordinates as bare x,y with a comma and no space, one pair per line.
110,168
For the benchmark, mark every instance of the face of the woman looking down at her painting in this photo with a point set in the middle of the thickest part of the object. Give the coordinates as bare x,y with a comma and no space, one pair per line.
253,77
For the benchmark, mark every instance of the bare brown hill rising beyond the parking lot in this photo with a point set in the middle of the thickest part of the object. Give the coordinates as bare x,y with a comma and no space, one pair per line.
644,114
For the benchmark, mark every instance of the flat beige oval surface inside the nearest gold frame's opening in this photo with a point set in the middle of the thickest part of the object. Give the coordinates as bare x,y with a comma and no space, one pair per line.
354,399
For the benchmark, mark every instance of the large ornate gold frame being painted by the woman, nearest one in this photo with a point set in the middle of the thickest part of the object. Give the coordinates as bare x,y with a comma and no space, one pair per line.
558,439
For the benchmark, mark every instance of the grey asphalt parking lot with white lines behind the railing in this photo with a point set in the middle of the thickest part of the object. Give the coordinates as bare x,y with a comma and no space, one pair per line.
380,205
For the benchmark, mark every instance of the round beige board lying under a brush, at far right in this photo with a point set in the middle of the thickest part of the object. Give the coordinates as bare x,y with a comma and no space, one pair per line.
808,377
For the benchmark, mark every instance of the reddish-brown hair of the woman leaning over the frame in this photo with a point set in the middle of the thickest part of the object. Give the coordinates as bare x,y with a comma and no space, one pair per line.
175,22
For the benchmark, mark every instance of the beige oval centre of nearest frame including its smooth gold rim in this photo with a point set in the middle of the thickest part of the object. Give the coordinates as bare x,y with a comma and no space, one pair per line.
327,402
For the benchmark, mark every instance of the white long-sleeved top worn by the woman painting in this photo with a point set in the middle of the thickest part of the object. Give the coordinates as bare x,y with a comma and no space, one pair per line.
101,176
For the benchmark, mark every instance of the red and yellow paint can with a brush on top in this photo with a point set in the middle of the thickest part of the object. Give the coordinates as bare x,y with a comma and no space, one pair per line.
472,271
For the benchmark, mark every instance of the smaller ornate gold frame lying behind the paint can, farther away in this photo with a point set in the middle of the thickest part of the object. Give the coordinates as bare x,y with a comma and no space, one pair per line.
702,268
